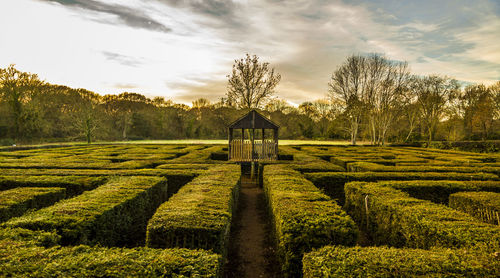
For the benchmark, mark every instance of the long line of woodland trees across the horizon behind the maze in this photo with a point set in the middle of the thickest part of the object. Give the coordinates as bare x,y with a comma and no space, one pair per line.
32,111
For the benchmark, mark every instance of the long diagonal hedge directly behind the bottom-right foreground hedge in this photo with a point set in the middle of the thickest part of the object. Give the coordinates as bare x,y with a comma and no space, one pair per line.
392,217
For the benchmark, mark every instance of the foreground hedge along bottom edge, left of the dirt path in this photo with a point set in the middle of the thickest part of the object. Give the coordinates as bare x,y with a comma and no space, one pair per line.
86,261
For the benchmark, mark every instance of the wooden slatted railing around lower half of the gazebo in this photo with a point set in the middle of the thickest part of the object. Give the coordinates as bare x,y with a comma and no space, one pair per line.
262,150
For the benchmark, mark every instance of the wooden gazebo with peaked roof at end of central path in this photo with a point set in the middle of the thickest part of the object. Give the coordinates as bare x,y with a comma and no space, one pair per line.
251,149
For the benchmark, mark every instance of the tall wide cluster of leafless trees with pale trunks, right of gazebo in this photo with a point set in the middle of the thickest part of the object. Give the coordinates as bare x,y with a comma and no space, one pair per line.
369,87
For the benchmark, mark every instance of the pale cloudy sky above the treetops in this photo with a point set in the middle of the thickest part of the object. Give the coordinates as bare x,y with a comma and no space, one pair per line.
184,50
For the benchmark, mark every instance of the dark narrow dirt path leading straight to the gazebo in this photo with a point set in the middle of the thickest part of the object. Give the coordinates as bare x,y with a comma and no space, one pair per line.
251,250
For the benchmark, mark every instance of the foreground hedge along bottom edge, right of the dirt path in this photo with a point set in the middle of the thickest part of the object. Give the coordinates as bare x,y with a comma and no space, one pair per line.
338,261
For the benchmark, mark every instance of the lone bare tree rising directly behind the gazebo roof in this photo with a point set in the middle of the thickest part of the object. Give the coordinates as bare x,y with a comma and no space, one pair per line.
251,82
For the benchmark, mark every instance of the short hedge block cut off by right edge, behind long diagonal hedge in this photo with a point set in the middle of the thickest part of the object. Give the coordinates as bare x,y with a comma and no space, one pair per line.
485,206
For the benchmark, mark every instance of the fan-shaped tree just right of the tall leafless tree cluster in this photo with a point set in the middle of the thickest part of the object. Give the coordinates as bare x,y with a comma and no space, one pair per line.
433,95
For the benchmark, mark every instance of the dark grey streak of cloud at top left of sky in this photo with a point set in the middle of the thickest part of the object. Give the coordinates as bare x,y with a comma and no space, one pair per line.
124,15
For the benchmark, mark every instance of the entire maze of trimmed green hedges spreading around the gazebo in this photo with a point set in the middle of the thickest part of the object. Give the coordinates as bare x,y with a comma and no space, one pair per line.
156,210
